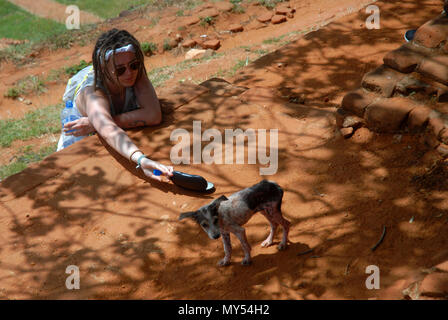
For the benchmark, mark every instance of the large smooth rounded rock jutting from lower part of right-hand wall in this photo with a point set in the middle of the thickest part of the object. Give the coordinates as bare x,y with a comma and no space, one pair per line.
387,115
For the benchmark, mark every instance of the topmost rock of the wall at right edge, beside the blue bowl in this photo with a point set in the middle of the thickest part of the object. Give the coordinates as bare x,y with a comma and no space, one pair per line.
432,33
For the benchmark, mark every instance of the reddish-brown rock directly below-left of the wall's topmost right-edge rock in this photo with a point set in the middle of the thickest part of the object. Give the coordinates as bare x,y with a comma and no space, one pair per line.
404,59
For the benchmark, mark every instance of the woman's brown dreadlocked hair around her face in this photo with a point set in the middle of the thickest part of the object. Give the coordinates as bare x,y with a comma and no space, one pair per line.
112,40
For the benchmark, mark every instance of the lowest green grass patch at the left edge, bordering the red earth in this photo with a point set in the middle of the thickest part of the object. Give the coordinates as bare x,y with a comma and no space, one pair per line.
26,157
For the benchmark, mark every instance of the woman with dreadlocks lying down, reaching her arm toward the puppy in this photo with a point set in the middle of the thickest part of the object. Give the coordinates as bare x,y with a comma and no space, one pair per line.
115,94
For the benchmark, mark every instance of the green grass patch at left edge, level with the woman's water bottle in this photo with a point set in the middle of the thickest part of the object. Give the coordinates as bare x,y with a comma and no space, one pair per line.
34,124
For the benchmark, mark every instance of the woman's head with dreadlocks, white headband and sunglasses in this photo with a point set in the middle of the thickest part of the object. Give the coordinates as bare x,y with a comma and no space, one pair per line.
118,58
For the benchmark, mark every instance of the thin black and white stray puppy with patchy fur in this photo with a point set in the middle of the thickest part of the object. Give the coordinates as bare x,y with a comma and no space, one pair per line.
225,215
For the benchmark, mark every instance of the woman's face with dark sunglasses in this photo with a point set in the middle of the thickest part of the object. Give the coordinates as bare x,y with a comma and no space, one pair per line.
125,69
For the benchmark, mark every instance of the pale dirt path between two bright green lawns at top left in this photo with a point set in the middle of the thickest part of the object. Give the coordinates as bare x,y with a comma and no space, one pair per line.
53,10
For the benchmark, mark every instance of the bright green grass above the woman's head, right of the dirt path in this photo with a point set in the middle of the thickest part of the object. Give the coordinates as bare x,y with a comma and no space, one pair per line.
105,8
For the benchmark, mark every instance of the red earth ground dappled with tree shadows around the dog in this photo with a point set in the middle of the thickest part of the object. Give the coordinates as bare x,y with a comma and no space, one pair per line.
87,206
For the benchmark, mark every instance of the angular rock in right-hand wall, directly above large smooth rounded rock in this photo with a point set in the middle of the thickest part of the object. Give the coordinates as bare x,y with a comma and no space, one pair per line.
382,80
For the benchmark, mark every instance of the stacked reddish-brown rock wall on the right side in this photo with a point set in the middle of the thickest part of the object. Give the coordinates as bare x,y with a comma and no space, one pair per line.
408,92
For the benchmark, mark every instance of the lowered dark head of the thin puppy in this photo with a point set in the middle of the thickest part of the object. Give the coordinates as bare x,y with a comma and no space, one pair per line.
207,217
